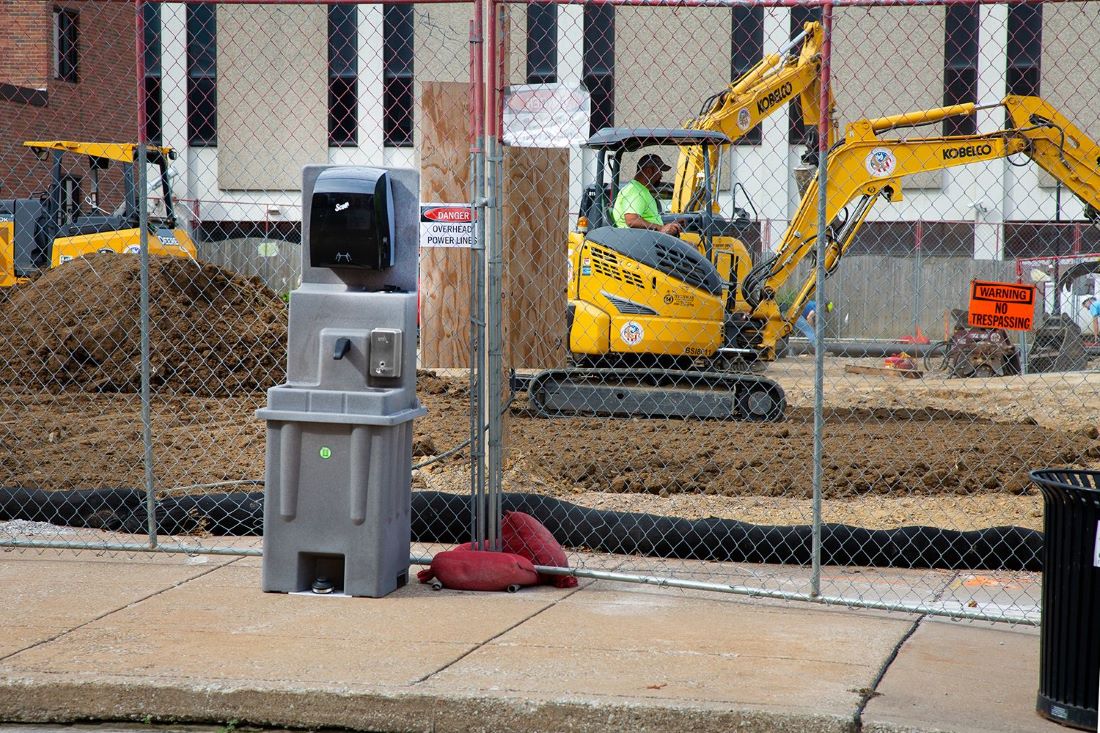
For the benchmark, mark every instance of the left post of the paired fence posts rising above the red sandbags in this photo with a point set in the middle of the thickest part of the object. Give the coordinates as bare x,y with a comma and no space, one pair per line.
477,283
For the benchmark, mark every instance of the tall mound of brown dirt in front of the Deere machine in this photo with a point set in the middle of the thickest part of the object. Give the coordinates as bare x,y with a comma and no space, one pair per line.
79,327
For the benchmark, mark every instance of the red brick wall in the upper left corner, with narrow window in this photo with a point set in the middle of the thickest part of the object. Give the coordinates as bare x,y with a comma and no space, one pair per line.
101,107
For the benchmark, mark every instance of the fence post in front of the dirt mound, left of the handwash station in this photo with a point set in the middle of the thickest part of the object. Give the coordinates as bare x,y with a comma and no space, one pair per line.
141,159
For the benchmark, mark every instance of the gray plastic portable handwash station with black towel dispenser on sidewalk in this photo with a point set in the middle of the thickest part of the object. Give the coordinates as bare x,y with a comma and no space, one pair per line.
340,431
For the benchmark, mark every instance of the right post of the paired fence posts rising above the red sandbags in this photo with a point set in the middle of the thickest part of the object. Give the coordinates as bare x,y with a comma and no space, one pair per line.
496,321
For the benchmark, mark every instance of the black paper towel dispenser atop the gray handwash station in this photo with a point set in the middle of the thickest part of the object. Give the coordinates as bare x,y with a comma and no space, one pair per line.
353,220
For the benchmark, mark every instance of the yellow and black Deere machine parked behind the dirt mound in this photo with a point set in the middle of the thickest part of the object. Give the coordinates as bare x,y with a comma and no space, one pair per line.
61,225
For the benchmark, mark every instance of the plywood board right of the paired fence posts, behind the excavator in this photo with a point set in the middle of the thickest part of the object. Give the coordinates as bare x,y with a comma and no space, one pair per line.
536,226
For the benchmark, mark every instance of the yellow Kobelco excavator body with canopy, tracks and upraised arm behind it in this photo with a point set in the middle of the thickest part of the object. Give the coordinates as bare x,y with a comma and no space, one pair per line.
698,270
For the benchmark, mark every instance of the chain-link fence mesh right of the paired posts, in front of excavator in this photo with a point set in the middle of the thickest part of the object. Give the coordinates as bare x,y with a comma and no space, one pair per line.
926,468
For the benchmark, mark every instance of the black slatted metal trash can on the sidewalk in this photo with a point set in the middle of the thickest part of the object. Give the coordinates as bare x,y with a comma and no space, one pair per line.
1070,639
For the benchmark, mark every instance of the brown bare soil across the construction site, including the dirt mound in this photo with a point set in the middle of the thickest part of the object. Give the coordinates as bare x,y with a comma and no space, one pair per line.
947,453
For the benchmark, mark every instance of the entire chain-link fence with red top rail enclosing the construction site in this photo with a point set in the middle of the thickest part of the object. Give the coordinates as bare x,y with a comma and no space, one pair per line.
700,407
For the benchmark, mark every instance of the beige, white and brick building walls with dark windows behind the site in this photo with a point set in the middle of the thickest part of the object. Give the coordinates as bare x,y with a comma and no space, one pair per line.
250,94
